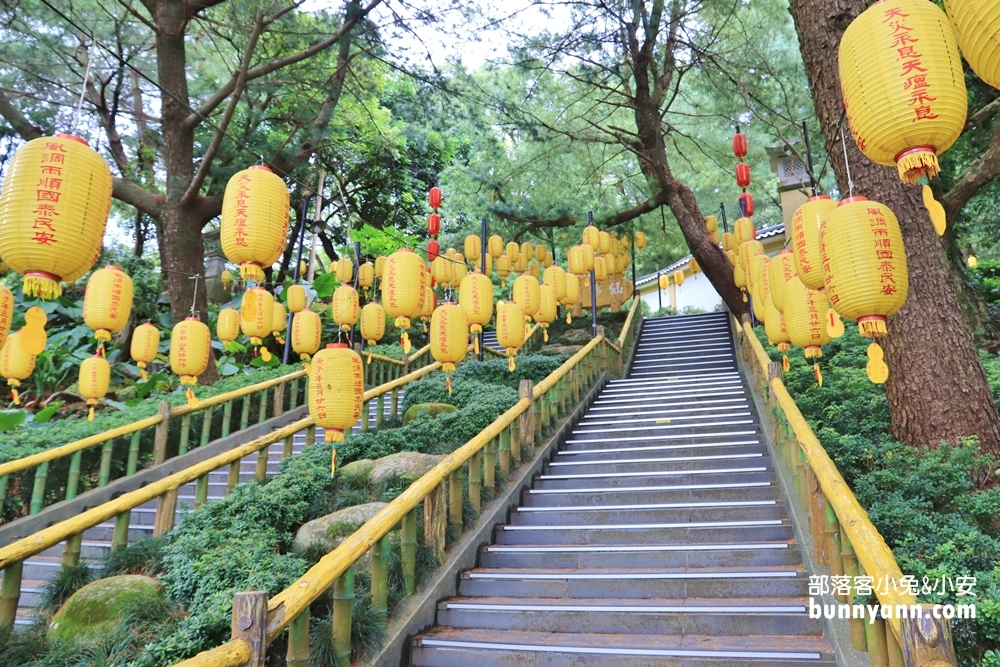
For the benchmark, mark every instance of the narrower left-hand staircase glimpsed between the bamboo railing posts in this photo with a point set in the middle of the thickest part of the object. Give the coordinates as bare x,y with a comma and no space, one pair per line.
42,568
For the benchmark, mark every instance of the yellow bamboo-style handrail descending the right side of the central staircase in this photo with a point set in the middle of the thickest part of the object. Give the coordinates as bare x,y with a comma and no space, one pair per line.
838,521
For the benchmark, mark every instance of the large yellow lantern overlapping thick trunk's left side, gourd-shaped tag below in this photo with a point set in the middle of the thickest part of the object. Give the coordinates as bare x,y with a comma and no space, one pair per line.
866,272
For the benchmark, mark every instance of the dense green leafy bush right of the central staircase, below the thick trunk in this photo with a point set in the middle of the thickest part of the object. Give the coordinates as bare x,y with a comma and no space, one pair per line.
934,507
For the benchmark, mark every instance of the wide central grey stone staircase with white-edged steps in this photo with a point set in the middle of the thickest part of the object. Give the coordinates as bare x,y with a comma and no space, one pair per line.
656,535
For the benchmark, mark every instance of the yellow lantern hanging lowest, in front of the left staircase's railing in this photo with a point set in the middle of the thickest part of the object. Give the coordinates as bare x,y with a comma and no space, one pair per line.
336,392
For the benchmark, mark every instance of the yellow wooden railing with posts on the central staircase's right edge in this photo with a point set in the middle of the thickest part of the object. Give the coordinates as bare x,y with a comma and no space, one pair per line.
844,538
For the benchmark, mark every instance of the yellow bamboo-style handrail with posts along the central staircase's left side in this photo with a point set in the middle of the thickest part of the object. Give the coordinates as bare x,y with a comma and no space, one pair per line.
546,402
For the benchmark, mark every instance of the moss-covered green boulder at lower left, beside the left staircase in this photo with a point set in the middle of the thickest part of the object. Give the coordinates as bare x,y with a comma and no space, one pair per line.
99,604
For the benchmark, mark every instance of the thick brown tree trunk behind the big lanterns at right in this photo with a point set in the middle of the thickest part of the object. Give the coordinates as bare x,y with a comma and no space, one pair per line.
937,388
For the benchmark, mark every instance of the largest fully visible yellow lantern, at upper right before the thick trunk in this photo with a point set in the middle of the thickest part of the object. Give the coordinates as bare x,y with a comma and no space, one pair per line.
904,89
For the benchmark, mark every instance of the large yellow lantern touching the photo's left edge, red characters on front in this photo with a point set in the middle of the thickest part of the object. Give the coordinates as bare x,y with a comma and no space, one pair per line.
53,210
